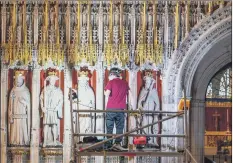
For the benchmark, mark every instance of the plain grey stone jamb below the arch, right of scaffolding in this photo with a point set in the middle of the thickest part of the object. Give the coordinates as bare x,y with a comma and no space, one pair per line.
197,122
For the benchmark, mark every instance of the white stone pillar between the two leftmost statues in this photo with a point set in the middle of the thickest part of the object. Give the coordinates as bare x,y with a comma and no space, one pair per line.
35,128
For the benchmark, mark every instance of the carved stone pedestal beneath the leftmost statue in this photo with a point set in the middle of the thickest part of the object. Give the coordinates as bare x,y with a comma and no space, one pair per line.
18,154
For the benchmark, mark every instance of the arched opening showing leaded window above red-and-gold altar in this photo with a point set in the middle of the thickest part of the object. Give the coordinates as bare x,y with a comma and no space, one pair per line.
218,119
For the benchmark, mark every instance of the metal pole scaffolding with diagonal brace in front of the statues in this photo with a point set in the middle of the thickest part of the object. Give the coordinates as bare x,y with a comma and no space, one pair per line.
185,152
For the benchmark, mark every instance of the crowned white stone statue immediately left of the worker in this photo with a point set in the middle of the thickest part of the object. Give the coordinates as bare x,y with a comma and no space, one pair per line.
86,101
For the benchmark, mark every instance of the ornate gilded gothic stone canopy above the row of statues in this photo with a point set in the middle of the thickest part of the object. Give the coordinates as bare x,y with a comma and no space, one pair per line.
82,33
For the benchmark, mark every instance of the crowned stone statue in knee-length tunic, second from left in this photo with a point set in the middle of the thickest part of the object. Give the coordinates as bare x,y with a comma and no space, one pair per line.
51,101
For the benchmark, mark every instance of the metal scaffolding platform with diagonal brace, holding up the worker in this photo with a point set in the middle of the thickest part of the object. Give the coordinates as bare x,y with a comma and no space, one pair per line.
90,150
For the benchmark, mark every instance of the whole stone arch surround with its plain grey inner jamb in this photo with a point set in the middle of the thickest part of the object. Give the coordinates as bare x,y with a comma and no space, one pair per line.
199,57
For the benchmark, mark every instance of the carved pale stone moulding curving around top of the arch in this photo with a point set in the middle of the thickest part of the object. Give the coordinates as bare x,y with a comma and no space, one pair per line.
199,39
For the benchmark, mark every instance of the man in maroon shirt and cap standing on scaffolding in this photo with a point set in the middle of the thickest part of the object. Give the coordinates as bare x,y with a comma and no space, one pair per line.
116,90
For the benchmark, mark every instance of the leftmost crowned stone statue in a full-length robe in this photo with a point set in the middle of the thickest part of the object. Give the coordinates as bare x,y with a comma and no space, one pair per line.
19,112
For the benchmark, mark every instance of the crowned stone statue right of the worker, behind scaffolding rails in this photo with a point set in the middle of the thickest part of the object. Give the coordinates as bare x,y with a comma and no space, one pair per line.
149,101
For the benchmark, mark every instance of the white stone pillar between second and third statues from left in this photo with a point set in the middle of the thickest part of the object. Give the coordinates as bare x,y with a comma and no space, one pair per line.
67,141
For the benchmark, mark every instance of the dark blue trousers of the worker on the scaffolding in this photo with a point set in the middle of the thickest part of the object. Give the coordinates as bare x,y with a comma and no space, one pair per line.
119,120
